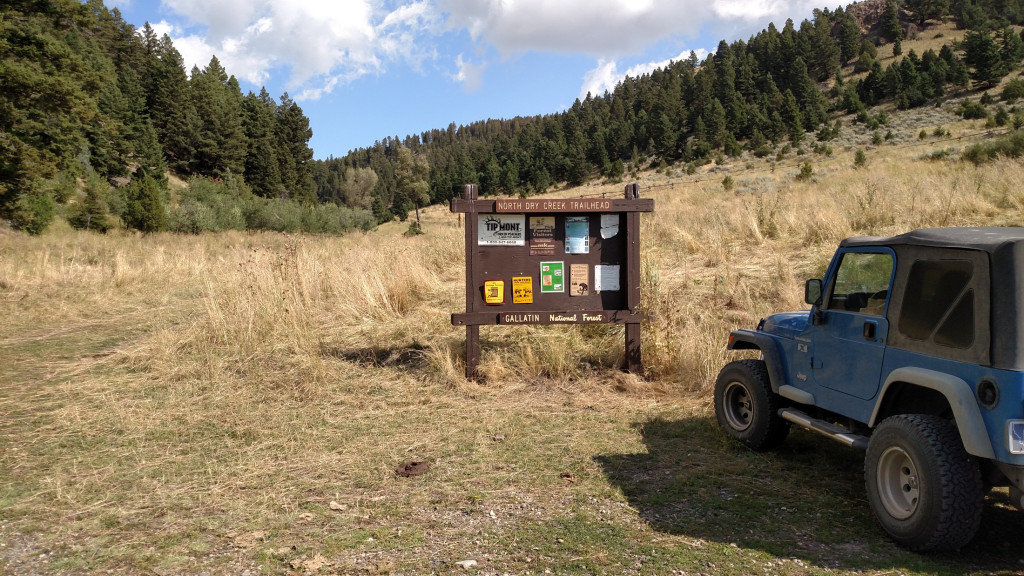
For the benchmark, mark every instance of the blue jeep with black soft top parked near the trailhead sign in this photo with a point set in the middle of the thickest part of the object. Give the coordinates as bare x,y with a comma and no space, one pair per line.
914,352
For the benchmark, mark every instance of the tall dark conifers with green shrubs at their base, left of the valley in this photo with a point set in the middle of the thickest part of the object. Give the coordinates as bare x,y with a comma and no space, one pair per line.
95,113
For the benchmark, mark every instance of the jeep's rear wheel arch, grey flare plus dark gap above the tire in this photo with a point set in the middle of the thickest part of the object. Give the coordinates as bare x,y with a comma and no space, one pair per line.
937,391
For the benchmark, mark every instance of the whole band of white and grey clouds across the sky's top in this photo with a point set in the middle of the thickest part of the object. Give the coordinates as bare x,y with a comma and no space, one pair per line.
324,44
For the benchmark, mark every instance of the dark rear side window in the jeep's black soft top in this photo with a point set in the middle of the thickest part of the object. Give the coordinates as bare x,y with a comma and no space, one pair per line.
938,304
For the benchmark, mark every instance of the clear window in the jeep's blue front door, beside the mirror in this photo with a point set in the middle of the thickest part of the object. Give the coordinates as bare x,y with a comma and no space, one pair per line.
863,283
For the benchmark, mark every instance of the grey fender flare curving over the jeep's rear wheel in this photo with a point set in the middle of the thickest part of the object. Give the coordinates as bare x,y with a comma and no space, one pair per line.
958,394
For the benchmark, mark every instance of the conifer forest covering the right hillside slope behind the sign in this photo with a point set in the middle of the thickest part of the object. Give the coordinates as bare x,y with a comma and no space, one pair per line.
756,96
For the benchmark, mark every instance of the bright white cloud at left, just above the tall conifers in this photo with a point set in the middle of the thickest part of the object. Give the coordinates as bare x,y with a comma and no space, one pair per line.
322,43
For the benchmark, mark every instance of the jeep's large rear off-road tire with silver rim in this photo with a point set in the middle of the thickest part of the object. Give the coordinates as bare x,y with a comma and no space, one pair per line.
924,488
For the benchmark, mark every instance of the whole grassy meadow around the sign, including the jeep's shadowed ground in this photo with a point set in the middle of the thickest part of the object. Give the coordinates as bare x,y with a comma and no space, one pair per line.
238,403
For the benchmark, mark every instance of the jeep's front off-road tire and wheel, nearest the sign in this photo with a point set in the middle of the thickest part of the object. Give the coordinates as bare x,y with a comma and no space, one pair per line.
746,406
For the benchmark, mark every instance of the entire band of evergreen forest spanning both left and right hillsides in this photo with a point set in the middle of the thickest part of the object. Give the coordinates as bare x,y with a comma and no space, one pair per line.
96,113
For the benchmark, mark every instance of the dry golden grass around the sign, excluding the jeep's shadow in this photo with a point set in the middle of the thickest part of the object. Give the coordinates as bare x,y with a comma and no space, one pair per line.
169,393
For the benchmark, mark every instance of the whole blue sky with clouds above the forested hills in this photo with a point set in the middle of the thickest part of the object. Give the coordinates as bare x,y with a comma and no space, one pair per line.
365,70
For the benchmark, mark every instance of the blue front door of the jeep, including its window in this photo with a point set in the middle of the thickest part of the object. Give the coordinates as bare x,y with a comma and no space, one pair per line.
849,340
